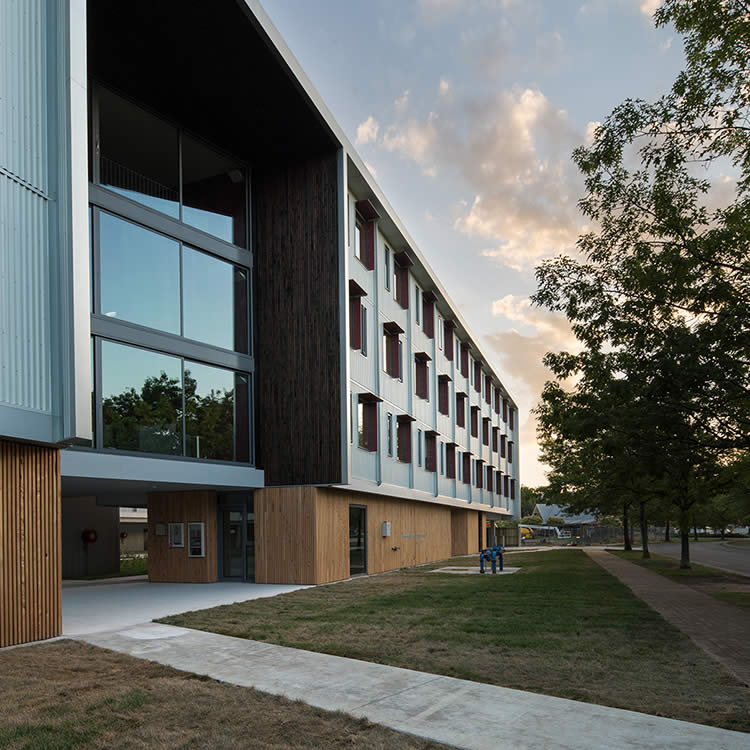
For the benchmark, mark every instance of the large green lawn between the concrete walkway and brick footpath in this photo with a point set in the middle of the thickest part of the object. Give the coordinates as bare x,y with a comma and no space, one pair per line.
561,626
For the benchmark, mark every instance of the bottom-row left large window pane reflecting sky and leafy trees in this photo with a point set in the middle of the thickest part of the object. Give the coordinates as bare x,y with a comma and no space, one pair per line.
141,400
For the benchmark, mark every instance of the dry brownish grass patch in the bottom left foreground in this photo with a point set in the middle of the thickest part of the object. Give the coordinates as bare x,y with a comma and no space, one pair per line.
65,695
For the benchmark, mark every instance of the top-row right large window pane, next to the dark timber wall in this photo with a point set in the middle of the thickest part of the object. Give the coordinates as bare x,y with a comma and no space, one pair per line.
213,192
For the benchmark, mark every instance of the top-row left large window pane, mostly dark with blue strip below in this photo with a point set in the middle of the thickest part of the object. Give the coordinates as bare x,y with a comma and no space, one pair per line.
139,156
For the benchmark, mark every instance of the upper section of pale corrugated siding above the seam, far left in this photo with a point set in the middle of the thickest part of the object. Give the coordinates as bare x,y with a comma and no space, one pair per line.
23,91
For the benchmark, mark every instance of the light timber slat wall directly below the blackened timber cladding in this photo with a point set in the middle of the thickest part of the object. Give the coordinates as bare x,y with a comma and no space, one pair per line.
285,549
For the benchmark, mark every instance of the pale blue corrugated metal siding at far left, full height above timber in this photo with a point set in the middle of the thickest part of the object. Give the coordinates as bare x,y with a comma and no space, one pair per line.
25,347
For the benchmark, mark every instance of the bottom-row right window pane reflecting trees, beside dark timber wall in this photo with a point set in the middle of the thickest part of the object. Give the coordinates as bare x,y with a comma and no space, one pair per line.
216,413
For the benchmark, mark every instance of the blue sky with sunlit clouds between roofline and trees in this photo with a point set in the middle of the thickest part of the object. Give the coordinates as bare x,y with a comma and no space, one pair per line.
466,112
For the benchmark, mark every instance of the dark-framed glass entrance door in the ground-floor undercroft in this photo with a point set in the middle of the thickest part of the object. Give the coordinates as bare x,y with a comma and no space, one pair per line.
237,539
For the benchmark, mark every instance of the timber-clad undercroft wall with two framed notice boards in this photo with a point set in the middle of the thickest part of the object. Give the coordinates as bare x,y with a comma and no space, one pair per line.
172,564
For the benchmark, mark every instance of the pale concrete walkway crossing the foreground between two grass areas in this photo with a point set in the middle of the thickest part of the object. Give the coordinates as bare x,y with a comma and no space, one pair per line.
456,712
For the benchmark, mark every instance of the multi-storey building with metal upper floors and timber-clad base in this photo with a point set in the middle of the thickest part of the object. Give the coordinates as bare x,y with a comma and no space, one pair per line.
208,308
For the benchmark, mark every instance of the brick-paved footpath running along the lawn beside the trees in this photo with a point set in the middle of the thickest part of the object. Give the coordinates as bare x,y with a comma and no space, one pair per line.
722,630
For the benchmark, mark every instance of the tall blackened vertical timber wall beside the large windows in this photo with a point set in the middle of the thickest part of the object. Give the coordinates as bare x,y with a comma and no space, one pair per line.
298,423
